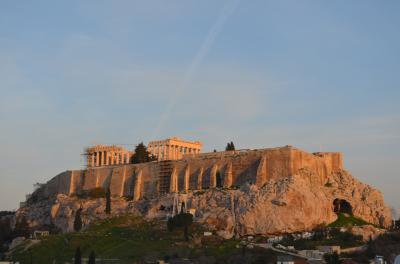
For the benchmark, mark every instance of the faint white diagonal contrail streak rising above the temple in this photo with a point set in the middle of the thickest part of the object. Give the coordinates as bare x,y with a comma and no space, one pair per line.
227,10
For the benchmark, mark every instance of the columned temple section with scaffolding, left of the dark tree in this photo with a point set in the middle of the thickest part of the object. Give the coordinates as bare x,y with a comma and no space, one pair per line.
103,155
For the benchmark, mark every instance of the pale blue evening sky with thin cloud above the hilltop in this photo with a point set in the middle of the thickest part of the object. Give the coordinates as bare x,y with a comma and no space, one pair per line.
318,75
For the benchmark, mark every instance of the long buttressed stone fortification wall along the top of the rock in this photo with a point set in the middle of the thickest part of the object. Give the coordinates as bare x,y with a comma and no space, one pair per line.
209,170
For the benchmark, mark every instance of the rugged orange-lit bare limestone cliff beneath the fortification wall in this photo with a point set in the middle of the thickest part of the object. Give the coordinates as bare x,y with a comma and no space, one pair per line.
291,204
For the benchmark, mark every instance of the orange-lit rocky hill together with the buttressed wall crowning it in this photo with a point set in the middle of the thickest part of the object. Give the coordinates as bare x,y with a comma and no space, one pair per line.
261,191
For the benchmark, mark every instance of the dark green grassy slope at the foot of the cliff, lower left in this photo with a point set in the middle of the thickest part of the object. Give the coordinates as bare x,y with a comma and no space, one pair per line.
126,238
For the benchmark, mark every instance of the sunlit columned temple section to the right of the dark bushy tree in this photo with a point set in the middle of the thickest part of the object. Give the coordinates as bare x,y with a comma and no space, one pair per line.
174,148
